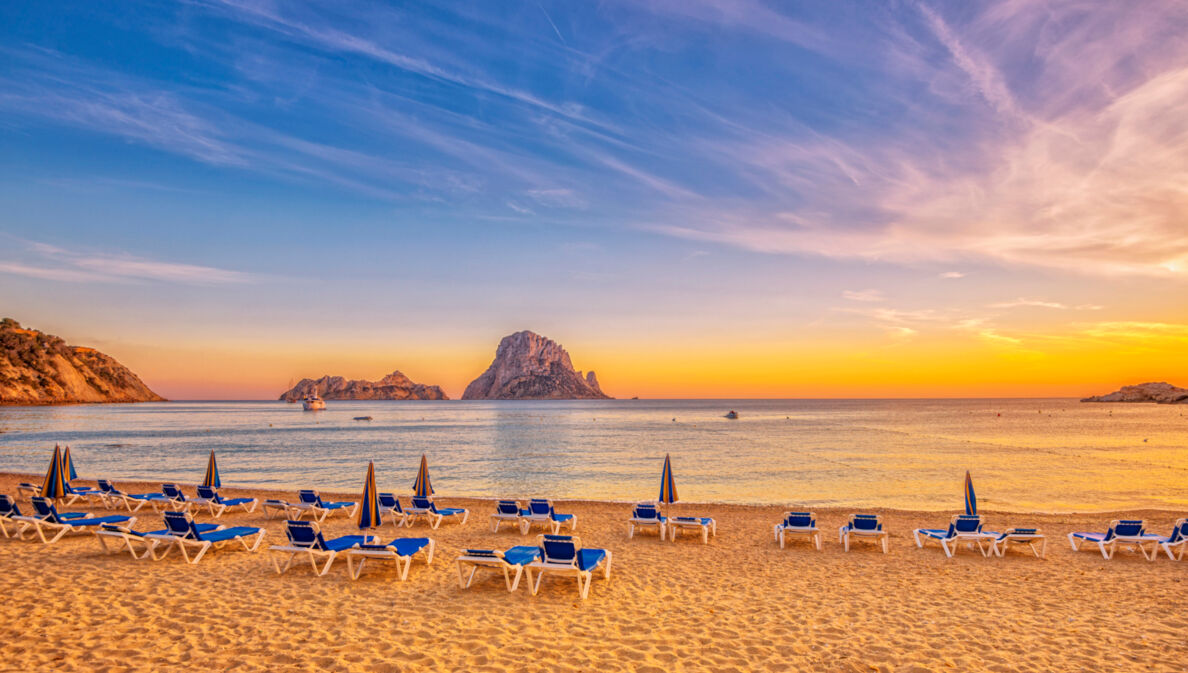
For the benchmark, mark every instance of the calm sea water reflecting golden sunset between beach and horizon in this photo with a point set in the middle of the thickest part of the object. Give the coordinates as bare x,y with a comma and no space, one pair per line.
1026,455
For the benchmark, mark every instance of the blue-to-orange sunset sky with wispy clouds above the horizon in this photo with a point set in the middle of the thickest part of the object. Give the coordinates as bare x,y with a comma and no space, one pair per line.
697,199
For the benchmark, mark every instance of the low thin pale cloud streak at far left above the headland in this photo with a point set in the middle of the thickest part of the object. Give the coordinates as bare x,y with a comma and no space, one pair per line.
54,263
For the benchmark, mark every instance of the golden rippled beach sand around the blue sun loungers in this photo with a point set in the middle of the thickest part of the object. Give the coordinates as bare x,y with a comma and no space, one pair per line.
740,603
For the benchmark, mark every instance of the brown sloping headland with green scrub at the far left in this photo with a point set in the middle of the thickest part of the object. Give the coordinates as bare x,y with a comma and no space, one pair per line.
42,369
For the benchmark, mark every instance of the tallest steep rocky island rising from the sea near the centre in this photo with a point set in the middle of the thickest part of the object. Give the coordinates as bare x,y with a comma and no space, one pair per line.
530,367
